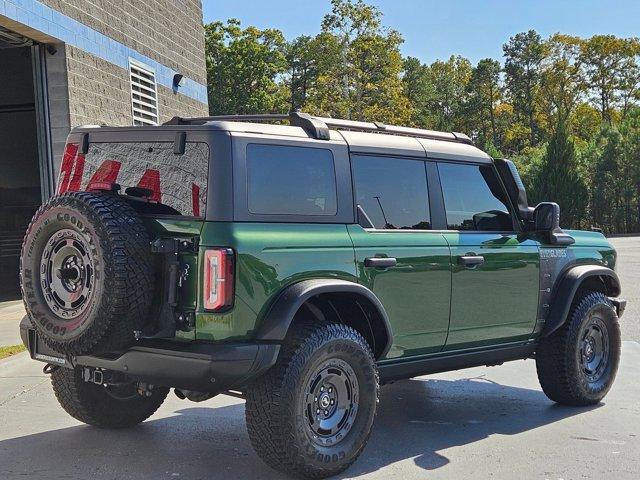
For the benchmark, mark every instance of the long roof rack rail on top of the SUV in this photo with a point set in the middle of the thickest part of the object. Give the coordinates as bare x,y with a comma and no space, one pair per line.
318,127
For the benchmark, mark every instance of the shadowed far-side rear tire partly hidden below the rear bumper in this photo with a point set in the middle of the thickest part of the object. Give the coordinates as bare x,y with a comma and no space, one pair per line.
94,405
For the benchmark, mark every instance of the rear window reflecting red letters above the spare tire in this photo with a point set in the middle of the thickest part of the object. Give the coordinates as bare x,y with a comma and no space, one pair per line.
177,181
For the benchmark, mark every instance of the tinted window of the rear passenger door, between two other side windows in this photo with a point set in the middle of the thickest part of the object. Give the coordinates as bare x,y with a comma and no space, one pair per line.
392,192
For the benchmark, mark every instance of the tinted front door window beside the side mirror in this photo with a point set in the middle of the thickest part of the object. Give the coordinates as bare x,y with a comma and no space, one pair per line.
474,198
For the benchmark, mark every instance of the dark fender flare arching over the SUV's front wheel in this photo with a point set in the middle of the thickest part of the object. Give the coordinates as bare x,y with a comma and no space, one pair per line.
567,287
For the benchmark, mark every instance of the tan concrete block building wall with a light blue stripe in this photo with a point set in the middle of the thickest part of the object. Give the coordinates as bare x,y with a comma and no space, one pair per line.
101,36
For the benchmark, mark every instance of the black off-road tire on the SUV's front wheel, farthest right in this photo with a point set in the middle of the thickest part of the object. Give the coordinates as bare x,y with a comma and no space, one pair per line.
559,357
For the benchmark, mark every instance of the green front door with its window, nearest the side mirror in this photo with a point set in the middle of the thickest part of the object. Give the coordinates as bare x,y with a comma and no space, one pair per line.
495,281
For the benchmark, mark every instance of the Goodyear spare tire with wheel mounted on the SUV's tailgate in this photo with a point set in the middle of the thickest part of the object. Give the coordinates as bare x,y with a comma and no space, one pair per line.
86,273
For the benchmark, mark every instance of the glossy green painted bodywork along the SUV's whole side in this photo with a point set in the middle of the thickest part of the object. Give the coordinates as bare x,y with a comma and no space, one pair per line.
434,304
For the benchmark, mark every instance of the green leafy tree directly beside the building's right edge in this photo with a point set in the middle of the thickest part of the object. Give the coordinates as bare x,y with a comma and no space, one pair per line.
243,66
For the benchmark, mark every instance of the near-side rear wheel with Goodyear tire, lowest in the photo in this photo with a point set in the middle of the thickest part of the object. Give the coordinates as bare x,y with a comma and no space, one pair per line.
311,415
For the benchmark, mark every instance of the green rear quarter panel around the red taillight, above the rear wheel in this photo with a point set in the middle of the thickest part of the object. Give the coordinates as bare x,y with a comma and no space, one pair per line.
270,256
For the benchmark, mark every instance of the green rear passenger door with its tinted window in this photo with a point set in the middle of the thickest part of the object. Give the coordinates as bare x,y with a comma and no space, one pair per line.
399,257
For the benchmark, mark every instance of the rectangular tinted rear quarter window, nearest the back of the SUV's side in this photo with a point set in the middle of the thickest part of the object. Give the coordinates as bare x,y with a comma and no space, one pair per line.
290,180
